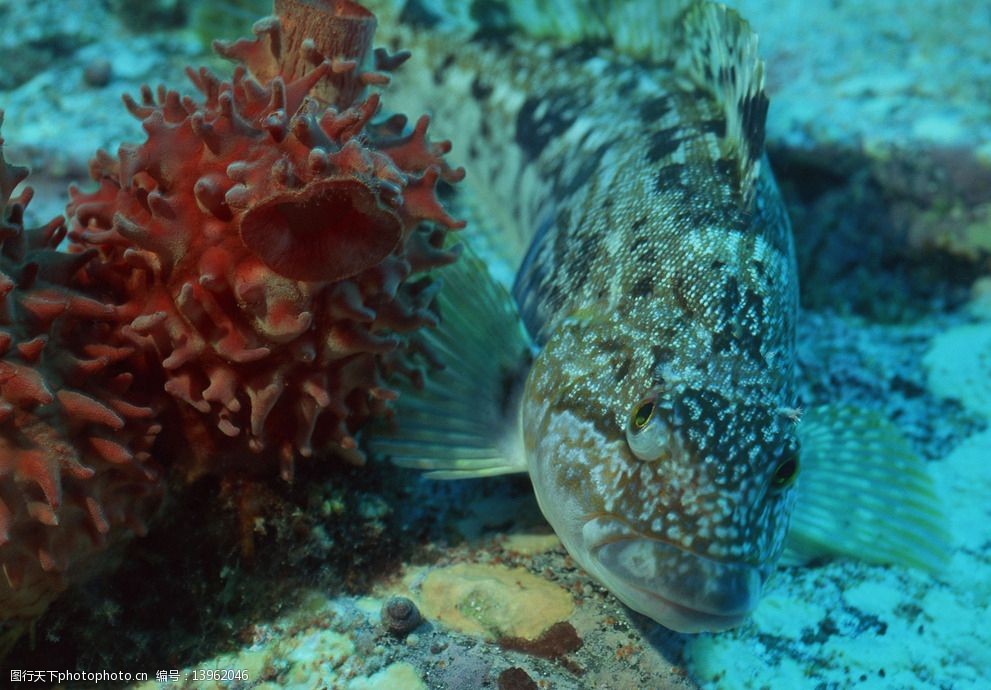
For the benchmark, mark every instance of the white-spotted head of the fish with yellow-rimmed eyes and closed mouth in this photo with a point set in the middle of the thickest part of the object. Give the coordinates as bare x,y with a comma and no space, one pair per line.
669,475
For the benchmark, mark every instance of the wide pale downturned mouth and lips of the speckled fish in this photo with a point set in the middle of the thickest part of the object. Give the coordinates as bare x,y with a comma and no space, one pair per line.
680,589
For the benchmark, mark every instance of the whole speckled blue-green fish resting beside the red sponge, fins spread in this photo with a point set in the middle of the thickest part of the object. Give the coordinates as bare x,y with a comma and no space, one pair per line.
637,356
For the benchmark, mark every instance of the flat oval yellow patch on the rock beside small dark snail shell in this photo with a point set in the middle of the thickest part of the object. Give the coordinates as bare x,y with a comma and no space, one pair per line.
493,601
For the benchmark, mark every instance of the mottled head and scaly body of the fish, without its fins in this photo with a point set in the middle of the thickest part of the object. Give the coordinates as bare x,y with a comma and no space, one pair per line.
653,275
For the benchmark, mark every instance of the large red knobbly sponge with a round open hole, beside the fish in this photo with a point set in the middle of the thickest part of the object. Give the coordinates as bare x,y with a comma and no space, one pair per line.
266,237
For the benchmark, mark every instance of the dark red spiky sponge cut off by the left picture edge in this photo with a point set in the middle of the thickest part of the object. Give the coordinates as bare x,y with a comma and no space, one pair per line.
75,469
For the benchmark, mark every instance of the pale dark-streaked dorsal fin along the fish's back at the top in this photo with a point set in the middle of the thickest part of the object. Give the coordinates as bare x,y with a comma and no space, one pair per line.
712,48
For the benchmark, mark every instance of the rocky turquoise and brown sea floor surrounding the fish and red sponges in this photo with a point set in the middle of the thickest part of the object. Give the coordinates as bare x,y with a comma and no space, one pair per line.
893,235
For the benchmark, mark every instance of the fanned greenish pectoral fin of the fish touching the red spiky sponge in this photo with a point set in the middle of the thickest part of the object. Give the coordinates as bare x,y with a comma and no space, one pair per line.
464,421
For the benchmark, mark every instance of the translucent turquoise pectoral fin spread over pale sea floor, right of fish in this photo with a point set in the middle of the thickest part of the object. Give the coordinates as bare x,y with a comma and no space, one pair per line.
863,493
